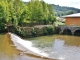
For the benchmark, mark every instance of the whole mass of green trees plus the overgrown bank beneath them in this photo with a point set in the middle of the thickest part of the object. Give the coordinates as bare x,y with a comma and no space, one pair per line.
20,18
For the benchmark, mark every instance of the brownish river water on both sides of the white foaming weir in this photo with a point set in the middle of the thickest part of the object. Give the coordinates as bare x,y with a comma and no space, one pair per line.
62,47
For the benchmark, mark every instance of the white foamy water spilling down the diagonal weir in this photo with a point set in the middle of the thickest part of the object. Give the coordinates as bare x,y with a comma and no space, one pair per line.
26,45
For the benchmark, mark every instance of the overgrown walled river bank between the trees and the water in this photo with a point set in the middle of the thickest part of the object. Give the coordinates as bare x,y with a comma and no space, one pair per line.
34,31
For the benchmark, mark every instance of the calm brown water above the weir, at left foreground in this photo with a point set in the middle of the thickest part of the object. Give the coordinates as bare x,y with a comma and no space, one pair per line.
8,51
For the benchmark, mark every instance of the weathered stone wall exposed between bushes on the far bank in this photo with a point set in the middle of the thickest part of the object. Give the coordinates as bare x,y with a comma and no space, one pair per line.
38,29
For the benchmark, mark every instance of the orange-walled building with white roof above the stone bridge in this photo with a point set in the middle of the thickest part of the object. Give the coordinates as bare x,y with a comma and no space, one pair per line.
73,19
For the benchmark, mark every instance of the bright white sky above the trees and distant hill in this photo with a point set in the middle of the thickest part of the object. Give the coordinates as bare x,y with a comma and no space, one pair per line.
68,3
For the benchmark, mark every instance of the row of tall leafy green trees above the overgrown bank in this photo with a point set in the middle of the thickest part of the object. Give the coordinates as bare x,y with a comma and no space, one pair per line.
15,12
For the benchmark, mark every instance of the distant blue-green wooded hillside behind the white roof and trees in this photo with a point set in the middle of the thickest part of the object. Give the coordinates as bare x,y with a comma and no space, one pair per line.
62,10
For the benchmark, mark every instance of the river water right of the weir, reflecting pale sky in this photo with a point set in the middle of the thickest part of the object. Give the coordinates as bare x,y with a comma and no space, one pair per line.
59,46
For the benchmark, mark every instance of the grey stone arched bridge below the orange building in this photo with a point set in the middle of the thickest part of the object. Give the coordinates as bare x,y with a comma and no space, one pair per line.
71,28
